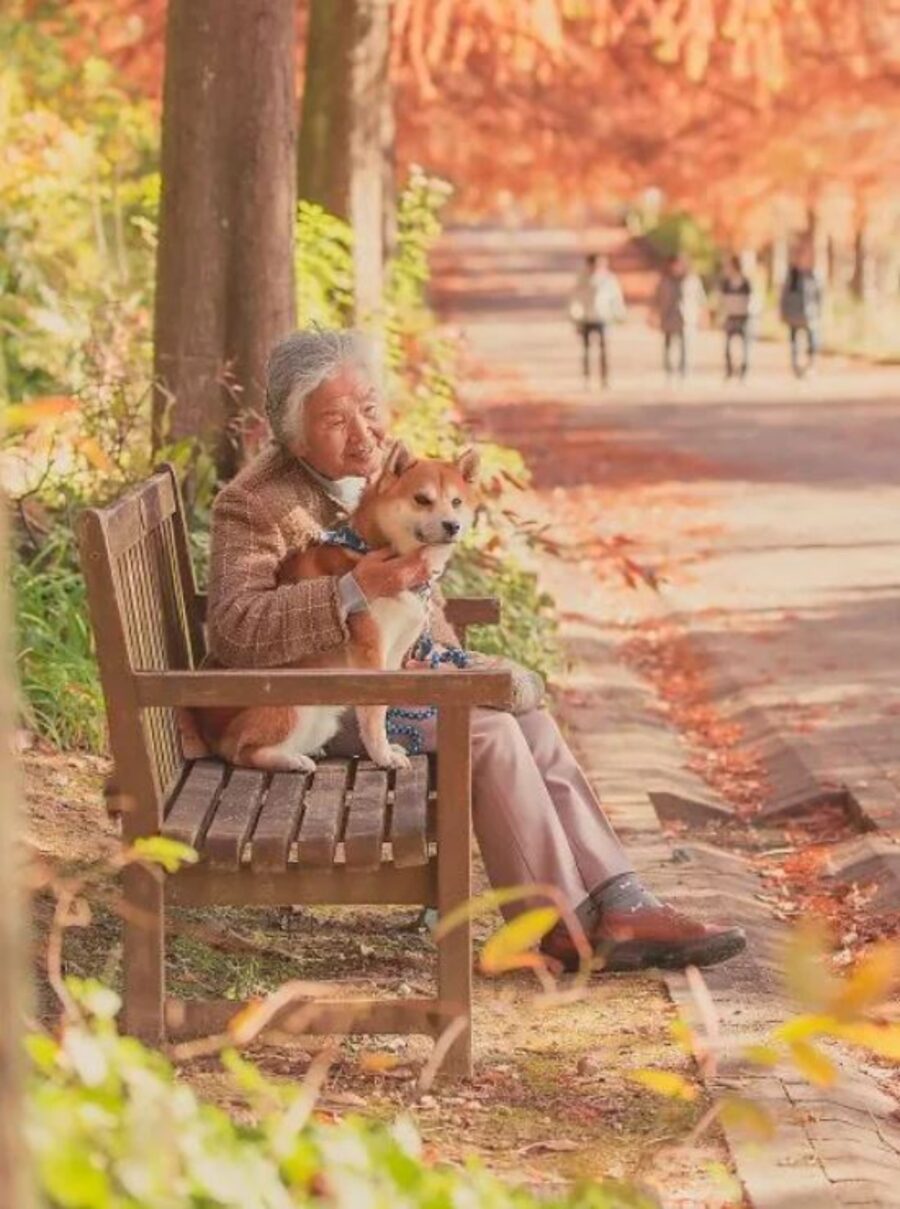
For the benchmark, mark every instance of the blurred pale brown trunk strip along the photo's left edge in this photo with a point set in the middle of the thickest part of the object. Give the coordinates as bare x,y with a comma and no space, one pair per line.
15,1165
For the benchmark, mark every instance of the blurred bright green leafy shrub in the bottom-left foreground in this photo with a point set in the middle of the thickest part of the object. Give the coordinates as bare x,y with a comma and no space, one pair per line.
112,1127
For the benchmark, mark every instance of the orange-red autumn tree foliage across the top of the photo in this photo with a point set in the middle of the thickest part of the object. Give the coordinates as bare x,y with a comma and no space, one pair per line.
729,106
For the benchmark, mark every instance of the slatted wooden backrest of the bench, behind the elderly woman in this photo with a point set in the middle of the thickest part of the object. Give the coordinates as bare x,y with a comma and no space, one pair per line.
146,617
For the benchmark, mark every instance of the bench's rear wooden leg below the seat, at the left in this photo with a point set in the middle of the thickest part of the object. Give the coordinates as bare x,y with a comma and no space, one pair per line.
145,956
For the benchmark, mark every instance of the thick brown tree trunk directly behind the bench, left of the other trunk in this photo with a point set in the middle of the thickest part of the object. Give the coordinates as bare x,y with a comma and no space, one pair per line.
226,281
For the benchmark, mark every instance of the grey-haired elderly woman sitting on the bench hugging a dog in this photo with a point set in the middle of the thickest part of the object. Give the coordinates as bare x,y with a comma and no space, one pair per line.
536,818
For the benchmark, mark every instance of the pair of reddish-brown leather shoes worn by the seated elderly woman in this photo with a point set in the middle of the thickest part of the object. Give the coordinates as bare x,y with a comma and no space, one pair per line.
653,936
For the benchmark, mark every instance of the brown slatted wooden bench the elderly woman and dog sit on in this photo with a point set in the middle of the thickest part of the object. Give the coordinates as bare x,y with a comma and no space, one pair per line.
348,834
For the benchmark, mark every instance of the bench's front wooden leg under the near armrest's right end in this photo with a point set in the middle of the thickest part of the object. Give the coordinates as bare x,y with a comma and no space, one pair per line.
455,878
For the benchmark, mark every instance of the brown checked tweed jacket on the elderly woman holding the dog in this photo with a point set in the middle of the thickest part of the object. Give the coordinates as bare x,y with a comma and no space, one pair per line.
252,621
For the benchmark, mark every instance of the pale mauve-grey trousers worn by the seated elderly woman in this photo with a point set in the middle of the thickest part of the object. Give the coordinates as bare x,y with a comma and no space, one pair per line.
535,815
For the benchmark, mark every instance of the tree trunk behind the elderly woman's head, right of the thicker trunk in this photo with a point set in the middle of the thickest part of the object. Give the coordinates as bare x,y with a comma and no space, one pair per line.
347,132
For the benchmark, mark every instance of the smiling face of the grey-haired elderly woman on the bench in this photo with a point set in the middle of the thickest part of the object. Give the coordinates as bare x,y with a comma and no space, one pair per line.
344,427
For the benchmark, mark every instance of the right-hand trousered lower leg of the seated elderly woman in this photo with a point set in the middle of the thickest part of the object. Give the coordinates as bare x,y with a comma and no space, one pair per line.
597,849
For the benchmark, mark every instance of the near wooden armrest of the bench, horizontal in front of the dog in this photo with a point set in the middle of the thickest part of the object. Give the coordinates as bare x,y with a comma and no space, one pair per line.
324,687
